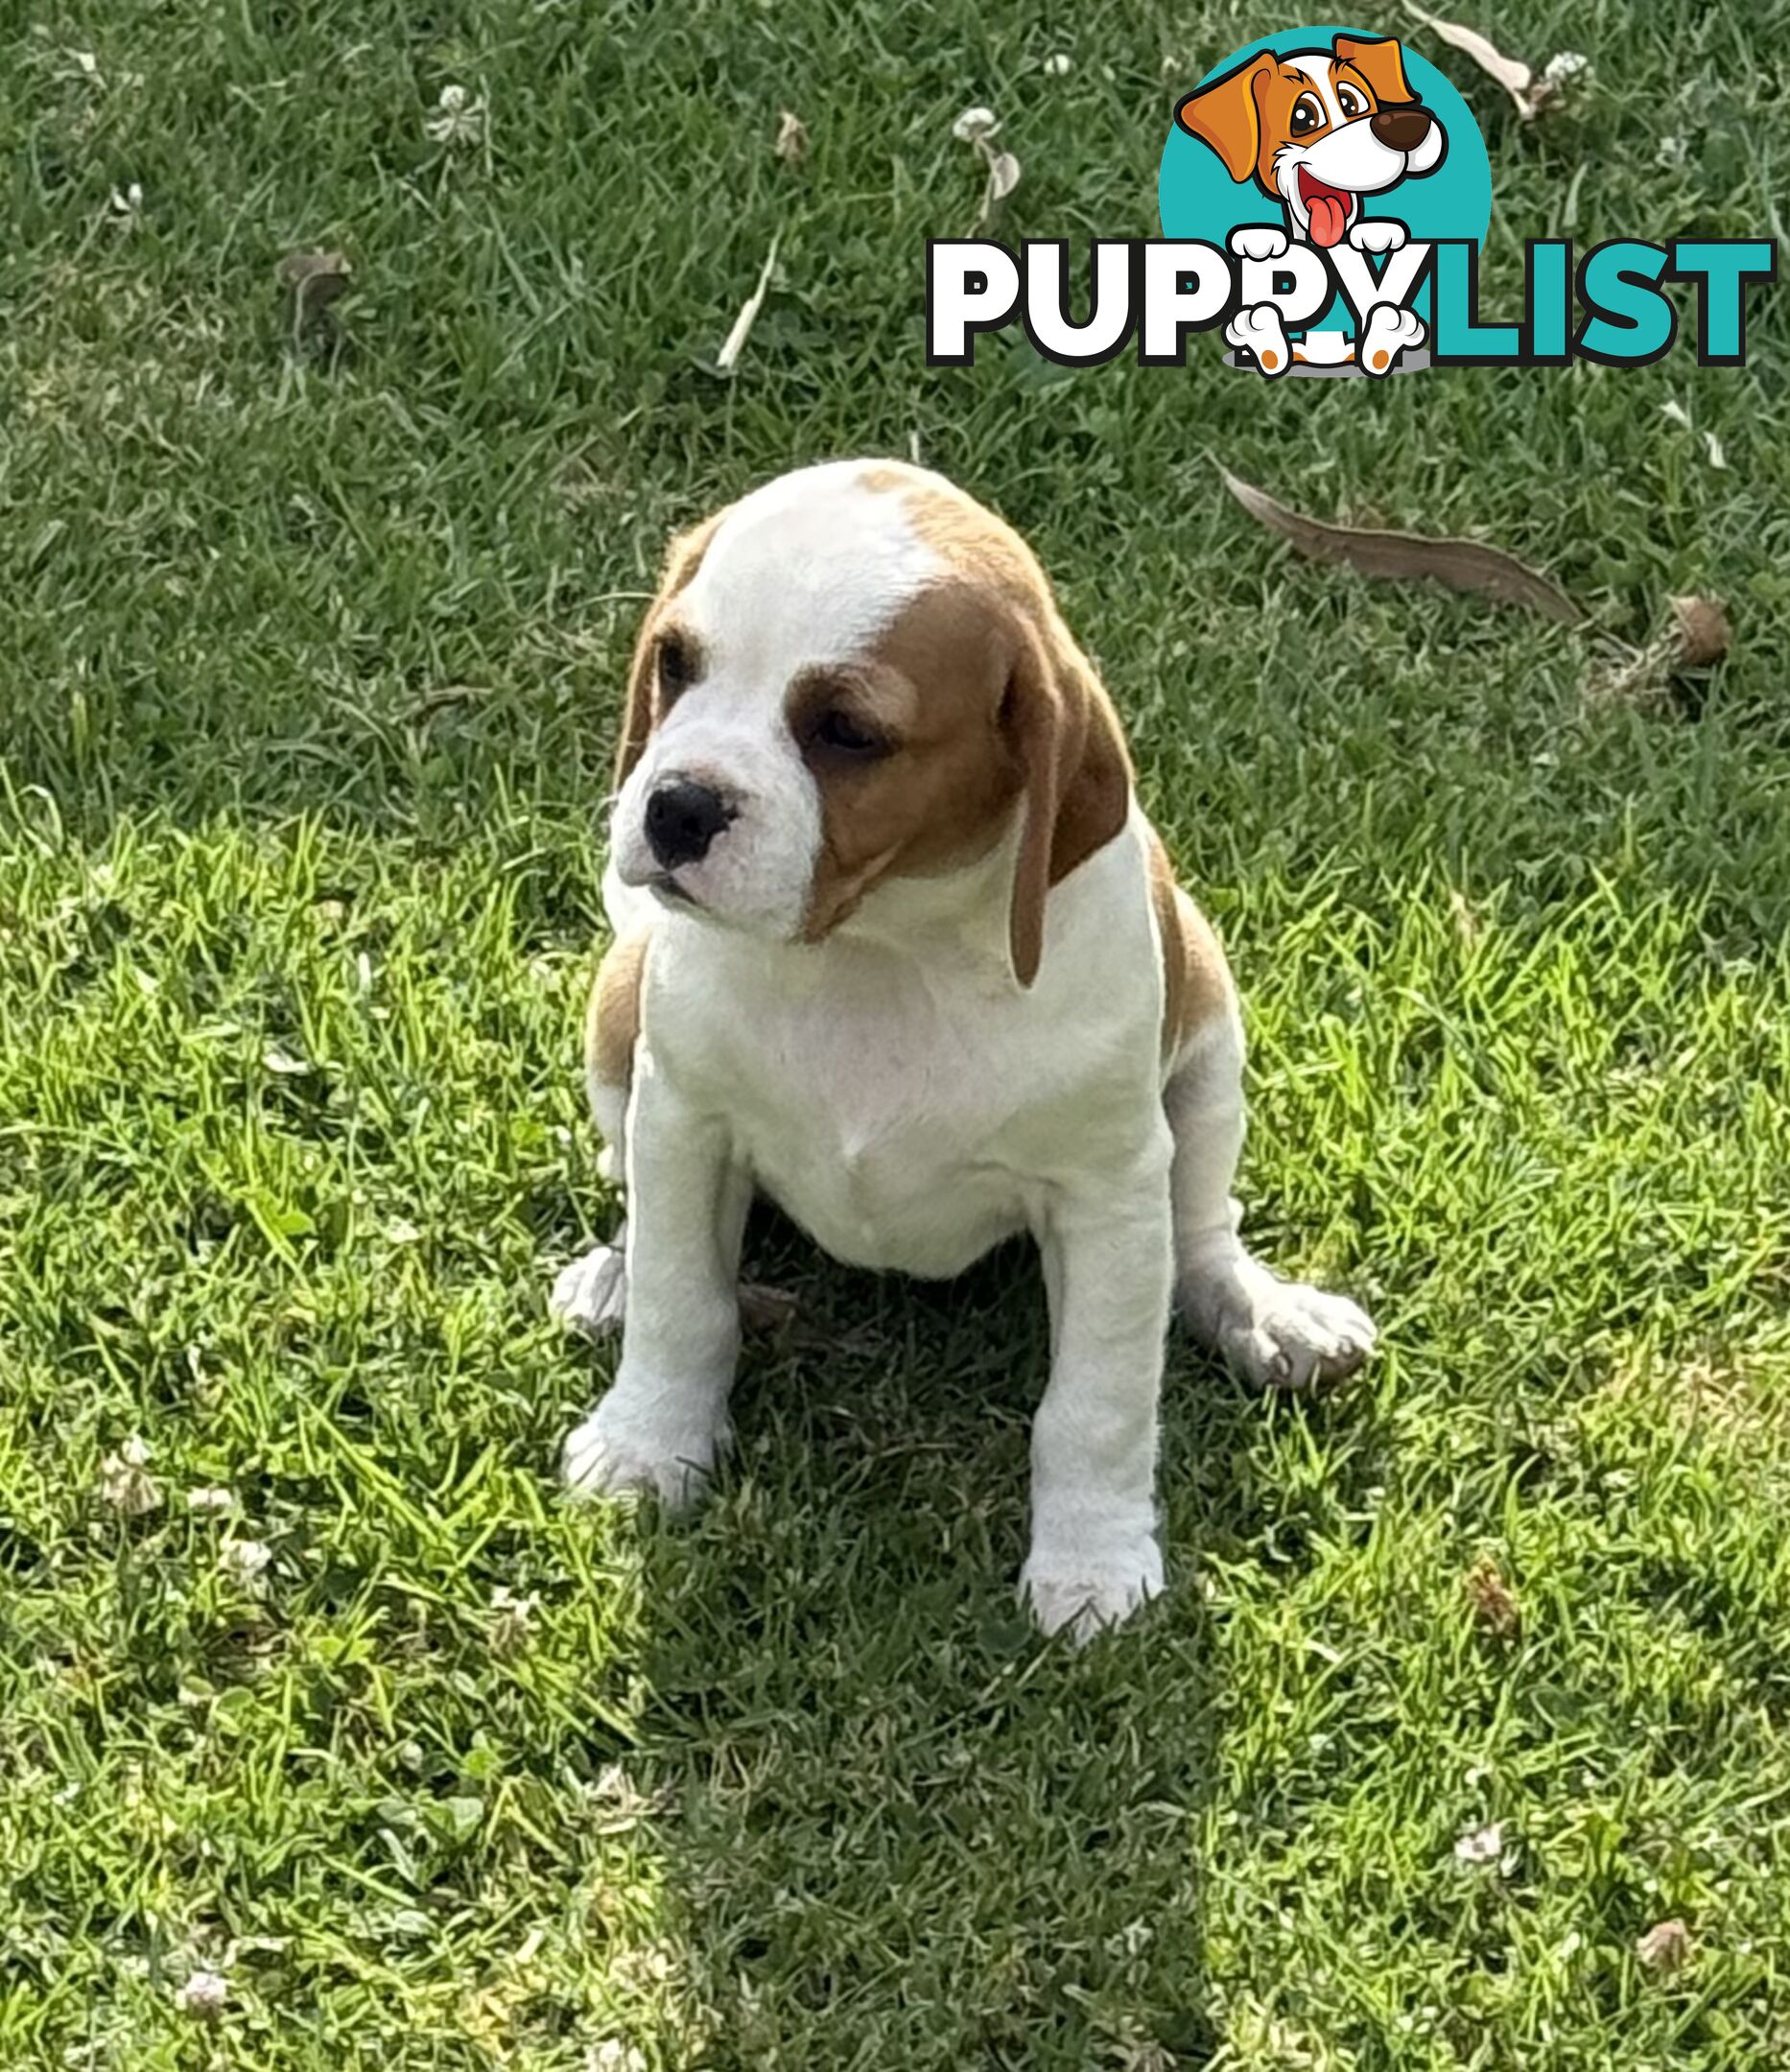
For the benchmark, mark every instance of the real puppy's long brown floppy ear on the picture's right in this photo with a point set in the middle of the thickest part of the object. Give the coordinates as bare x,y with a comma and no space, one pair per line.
1074,774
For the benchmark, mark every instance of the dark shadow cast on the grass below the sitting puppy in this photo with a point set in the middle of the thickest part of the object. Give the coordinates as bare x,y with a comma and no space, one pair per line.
896,1826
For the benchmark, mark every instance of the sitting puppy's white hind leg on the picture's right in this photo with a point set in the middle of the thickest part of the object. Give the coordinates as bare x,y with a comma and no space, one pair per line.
1275,1333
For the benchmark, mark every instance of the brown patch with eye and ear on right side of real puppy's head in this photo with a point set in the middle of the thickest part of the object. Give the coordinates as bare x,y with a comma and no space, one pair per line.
975,699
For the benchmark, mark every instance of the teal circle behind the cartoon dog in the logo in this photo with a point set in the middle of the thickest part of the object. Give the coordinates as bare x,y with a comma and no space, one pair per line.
1199,198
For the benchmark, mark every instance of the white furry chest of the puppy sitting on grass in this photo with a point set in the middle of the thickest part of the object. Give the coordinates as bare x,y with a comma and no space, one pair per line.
898,1093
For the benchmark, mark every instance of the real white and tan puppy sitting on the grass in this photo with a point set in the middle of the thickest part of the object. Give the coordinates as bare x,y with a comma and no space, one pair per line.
898,948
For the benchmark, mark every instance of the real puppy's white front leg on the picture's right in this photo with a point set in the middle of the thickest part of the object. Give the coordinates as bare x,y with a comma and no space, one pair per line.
1109,1273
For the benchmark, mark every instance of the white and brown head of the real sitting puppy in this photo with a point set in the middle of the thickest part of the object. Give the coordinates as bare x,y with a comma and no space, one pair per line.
853,677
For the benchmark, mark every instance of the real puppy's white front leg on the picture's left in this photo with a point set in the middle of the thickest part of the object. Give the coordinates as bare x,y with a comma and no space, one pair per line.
666,1418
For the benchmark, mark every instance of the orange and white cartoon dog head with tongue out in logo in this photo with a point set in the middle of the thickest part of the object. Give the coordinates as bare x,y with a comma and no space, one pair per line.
1319,129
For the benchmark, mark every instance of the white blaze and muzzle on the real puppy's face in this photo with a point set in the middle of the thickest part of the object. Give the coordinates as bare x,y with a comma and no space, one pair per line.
799,577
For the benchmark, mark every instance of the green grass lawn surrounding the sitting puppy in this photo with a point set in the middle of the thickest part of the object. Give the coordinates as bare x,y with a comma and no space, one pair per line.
310,670
